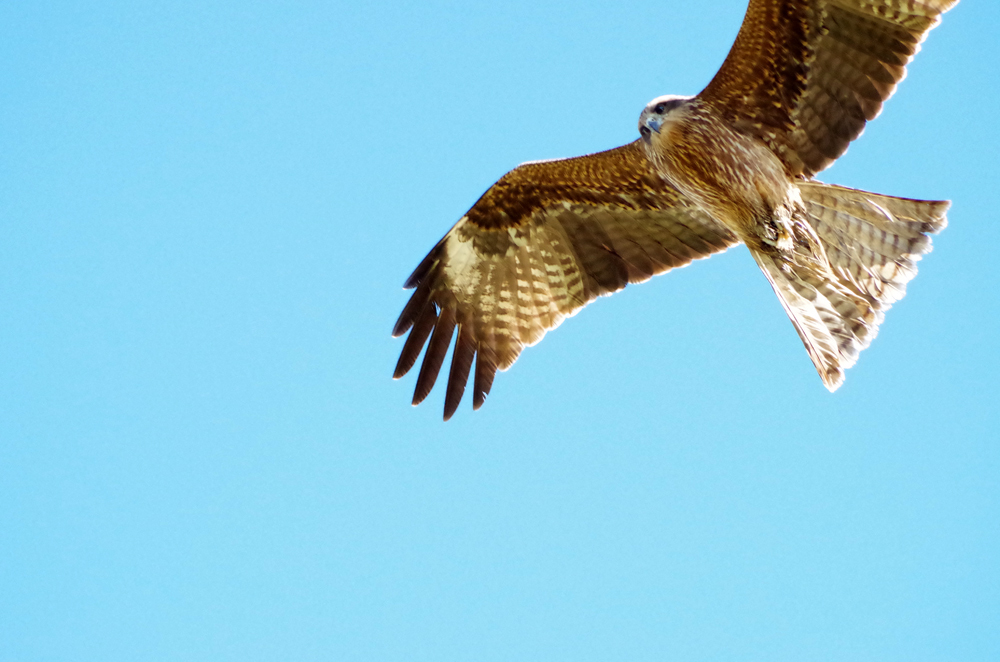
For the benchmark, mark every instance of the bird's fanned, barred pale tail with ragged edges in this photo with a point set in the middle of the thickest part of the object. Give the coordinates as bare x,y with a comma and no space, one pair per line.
871,243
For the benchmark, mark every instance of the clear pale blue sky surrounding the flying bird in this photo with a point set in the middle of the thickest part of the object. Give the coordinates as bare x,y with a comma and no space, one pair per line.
207,211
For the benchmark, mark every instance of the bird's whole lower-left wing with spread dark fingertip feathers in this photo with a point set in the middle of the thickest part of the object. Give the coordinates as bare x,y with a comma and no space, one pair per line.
541,243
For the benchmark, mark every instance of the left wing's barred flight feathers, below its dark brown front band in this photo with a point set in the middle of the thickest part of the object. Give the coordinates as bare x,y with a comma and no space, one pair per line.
505,288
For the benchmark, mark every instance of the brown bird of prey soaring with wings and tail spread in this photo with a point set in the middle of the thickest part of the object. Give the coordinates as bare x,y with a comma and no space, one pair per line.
736,163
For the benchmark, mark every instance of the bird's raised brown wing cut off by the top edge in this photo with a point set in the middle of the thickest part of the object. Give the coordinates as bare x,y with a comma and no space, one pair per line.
805,75
